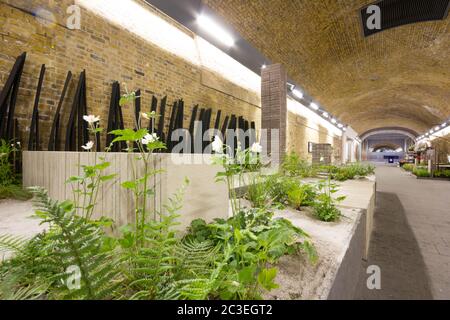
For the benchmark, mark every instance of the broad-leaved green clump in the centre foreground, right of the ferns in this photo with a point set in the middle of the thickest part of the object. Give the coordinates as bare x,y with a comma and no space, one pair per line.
255,242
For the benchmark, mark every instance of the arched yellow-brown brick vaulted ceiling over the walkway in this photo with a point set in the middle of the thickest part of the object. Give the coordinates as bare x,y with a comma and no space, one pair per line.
399,77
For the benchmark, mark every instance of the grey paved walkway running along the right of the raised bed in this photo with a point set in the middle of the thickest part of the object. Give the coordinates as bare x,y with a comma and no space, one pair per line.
411,238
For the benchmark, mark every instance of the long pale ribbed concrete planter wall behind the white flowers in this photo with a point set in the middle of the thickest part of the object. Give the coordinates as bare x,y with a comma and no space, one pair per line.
204,198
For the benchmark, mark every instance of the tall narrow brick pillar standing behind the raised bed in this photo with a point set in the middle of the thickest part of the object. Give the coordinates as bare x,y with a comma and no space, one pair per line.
274,111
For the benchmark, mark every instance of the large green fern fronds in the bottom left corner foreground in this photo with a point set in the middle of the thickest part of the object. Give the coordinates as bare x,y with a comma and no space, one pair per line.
72,243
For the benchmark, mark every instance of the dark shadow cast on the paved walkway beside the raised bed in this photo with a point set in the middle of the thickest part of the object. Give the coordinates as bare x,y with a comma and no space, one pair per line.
394,249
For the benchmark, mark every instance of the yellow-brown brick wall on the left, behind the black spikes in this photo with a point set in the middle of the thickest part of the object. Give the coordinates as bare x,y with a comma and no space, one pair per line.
108,53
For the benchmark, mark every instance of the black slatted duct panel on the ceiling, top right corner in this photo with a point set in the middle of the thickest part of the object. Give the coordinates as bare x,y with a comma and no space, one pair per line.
396,13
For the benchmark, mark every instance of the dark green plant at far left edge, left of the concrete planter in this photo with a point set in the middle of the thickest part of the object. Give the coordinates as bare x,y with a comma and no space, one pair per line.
10,185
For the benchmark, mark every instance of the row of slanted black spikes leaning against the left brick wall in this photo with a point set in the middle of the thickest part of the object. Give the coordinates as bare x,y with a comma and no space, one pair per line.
77,133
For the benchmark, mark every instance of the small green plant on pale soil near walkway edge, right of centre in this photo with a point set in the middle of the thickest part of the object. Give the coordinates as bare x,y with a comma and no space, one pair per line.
325,205
